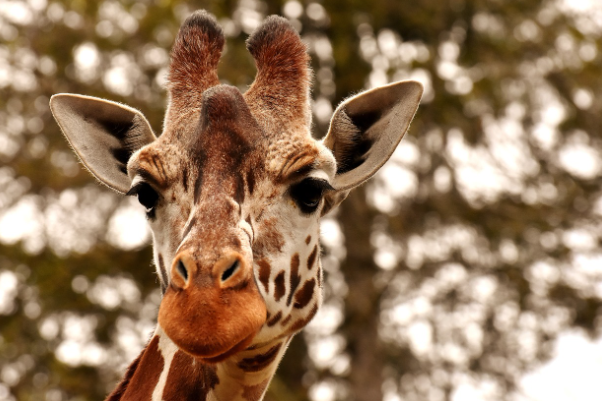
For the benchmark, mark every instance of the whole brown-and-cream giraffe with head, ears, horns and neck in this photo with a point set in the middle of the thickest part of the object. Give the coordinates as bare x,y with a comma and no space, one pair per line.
233,189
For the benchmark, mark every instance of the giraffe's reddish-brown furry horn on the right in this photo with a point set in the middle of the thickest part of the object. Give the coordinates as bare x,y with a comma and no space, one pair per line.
283,75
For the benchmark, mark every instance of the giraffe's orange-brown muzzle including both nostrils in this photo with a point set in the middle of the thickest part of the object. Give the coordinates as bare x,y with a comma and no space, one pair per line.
212,311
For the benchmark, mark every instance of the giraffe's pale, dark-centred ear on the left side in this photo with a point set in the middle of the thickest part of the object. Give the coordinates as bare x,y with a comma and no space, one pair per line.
103,134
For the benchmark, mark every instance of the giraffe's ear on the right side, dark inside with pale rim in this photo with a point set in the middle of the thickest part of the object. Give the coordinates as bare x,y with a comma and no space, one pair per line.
364,132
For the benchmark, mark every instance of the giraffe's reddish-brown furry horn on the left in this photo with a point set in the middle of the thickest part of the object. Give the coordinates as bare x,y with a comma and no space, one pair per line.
194,58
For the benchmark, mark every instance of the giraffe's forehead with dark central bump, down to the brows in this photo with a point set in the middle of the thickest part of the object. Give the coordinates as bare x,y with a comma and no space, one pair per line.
225,137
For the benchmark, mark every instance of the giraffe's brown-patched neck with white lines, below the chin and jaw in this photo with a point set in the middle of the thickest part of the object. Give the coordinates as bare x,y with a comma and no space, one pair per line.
162,372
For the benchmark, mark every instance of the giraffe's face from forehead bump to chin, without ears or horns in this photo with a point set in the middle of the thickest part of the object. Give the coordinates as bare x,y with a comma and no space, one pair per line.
234,213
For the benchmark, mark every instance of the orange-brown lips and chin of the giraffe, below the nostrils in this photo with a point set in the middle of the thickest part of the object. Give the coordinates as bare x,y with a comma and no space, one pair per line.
211,324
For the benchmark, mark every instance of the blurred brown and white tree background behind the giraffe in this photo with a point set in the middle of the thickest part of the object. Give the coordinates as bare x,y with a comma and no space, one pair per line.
468,269
